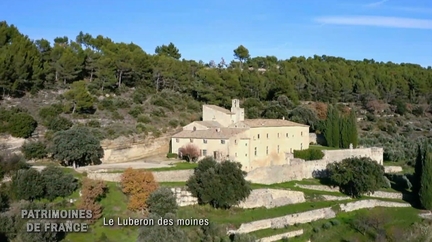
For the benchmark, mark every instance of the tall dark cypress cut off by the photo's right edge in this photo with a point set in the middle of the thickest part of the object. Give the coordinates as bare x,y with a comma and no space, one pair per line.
425,193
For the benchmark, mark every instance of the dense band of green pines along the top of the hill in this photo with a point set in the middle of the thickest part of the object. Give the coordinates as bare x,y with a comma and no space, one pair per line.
30,65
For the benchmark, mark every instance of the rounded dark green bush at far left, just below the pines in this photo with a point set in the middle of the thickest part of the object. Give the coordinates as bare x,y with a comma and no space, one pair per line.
21,125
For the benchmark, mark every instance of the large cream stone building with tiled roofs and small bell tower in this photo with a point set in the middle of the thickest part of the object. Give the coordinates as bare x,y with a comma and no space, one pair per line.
226,134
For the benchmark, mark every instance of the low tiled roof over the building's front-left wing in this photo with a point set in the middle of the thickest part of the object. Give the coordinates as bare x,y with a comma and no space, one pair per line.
224,133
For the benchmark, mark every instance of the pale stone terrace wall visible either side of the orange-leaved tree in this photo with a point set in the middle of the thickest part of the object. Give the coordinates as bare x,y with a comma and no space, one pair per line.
160,176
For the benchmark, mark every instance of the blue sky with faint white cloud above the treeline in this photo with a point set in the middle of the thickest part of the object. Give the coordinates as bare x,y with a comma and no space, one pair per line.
388,30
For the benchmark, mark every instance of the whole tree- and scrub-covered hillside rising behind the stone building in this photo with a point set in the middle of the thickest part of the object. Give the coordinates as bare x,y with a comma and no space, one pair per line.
160,89
